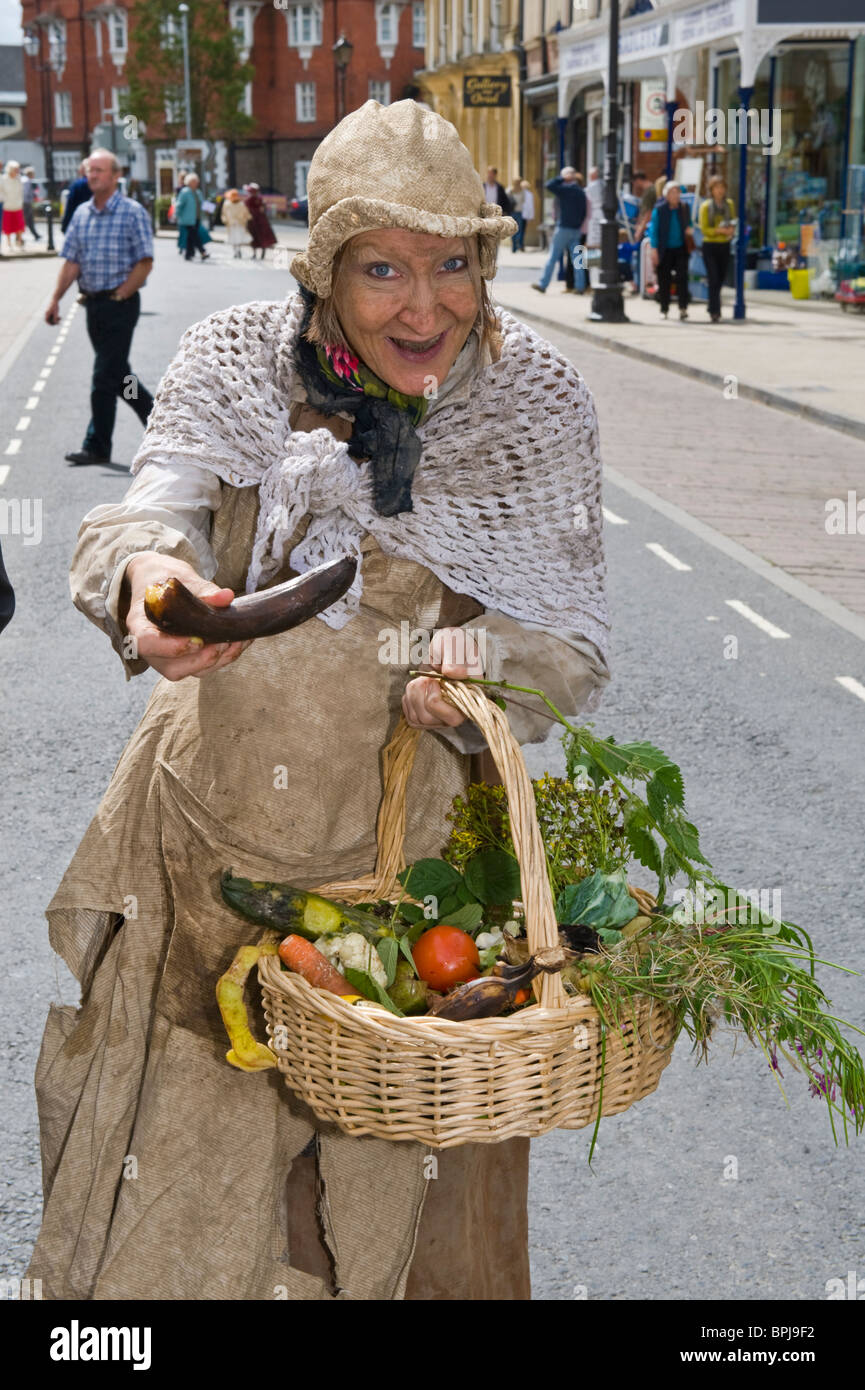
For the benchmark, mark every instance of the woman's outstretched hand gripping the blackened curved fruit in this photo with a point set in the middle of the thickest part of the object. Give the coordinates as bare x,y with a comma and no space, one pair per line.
175,657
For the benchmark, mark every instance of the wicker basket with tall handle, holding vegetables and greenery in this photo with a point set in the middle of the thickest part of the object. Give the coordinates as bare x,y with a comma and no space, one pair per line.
443,1084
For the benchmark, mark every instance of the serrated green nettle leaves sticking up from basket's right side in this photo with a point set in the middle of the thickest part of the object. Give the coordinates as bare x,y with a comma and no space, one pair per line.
658,833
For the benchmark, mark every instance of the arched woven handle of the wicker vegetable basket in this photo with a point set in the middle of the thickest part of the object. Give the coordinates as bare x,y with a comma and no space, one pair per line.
542,926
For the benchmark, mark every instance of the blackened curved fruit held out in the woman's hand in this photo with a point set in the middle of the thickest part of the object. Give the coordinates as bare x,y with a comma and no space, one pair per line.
173,610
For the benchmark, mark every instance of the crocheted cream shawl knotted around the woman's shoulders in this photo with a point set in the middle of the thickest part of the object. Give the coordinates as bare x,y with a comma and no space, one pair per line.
507,498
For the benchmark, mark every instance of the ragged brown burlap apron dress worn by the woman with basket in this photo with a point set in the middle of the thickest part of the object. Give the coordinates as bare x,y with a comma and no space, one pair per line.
168,1174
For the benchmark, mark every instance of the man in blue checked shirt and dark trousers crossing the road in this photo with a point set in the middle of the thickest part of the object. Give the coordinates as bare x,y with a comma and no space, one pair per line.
109,251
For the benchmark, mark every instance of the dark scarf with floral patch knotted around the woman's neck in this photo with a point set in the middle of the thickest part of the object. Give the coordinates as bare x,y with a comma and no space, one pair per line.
385,419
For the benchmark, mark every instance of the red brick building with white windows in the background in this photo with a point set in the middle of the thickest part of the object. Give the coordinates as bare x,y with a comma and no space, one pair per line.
77,92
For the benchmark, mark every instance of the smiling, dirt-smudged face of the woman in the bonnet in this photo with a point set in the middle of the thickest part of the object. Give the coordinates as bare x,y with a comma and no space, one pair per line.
407,302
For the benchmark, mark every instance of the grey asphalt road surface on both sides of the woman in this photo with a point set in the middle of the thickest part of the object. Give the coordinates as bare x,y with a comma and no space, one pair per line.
770,744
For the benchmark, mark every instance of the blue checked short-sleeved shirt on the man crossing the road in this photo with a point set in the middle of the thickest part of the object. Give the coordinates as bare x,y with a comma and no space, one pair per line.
106,244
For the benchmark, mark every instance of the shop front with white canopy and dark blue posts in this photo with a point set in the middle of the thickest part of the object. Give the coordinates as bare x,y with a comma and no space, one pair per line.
775,98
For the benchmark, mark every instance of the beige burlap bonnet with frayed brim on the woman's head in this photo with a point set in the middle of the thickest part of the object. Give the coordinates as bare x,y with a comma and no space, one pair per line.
407,167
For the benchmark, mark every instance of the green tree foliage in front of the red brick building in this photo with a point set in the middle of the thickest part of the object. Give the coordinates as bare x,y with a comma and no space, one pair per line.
218,74
